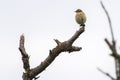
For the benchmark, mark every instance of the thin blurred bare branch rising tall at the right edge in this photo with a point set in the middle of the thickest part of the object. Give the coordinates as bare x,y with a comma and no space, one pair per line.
112,45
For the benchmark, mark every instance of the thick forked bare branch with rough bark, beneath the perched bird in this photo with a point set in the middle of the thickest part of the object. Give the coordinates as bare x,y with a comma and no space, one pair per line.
30,74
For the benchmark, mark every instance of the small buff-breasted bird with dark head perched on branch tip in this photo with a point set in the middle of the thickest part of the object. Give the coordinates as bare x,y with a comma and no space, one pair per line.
80,17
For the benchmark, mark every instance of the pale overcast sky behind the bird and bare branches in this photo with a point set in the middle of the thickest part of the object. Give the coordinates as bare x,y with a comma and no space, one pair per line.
41,21
